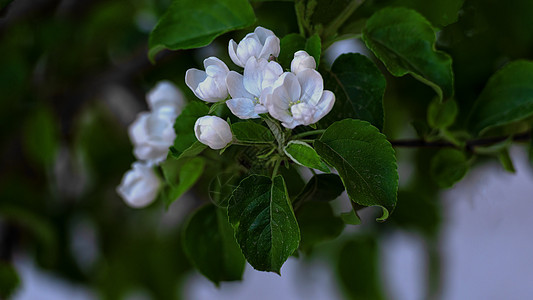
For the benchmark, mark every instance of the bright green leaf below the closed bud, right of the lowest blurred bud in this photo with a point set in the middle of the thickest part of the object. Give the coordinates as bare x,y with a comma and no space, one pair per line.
181,176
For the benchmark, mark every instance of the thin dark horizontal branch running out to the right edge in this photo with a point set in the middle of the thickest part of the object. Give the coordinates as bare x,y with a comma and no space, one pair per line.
470,145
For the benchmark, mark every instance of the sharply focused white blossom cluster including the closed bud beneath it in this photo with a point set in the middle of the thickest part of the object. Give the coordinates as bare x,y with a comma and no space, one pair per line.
294,98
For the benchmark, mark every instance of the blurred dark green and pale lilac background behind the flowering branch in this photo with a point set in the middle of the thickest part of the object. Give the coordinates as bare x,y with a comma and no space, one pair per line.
73,76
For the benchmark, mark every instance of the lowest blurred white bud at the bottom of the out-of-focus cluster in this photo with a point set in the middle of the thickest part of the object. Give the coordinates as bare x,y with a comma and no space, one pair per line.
139,186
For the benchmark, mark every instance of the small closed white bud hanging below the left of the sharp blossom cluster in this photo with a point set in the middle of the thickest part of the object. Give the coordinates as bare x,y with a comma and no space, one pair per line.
213,132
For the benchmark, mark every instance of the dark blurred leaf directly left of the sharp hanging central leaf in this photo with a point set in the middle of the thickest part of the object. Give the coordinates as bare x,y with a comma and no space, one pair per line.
209,244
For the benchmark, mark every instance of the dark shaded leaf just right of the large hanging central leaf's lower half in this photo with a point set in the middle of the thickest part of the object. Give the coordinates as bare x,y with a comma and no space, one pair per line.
317,224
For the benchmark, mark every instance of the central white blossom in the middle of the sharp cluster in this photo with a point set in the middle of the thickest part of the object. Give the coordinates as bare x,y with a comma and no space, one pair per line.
249,92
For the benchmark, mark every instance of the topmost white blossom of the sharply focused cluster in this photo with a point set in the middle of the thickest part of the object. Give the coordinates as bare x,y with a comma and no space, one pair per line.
262,43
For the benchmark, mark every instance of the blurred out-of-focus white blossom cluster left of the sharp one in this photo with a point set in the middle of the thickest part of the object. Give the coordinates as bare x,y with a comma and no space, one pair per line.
152,133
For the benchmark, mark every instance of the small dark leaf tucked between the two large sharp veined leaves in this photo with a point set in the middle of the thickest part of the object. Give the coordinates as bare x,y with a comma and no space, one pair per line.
321,187
